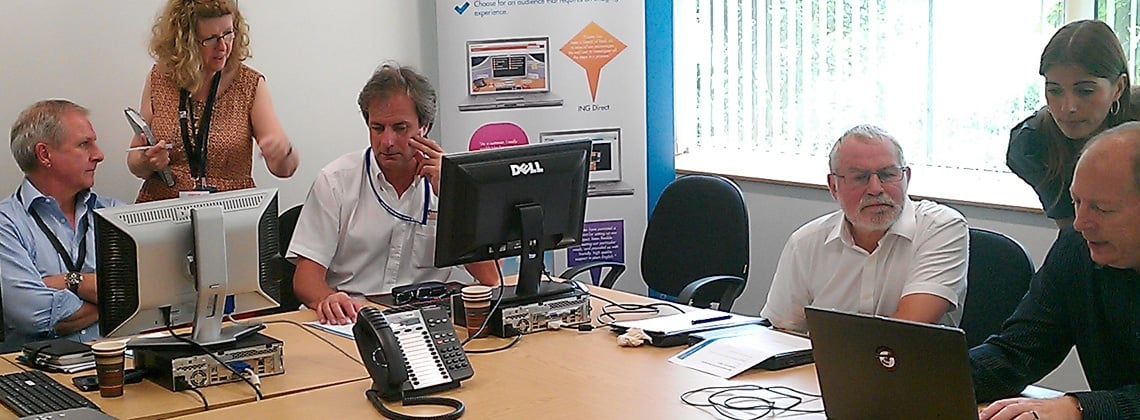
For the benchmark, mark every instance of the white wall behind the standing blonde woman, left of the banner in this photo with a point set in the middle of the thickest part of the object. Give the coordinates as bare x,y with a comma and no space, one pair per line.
316,58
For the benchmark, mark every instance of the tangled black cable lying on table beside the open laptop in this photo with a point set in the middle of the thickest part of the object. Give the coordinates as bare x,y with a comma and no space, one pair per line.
751,402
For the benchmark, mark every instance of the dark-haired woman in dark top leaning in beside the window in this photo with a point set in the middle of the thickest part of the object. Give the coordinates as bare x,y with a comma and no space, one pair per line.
1087,92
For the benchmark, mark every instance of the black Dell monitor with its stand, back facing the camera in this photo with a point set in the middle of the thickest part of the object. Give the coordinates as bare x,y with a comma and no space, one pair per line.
514,201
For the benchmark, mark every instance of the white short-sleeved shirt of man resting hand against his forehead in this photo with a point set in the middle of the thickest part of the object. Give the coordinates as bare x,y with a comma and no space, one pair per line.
367,249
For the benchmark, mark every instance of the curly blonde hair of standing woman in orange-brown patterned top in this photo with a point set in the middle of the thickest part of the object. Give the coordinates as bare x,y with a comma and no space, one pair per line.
175,44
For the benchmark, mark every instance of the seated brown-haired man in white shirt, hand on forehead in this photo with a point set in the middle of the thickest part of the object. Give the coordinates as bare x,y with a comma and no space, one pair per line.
369,223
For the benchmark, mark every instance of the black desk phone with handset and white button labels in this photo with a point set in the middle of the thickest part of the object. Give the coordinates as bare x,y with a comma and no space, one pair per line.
411,354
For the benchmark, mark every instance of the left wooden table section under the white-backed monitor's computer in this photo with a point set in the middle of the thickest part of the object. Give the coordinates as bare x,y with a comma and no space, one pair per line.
310,365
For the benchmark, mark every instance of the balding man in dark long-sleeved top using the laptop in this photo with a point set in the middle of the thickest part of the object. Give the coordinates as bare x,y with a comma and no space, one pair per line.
1086,295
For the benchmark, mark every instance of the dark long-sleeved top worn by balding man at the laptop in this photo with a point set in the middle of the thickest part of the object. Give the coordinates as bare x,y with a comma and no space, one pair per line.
1072,302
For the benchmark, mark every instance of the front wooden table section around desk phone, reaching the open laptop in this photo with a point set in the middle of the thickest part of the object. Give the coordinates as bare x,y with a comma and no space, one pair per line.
552,375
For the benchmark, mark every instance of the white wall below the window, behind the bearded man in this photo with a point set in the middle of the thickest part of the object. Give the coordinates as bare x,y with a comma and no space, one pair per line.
775,212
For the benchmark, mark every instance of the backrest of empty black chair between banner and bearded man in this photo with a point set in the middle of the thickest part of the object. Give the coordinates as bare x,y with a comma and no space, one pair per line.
699,229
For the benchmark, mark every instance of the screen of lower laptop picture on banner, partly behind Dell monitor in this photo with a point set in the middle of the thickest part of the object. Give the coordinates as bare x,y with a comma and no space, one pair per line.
605,159
